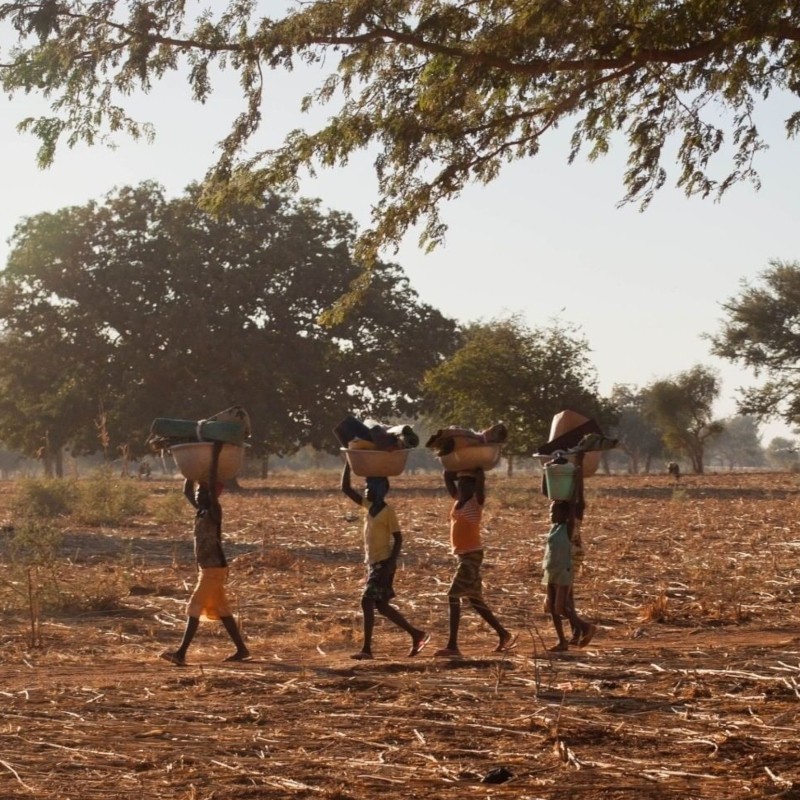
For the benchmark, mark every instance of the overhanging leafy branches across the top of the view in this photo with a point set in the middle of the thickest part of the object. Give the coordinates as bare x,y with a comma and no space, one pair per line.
446,92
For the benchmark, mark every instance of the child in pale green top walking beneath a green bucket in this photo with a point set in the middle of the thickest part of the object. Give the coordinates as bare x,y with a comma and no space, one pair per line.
557,578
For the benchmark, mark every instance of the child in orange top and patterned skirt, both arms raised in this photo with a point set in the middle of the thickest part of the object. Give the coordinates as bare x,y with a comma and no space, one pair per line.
467,488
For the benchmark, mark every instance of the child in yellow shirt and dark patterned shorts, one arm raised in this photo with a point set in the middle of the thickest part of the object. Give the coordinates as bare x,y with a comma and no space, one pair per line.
382,543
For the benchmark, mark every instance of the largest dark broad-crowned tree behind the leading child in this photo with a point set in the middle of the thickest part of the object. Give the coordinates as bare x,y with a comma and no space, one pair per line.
143,307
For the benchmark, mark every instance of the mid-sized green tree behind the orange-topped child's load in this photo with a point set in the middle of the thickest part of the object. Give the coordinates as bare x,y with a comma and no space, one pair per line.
506,371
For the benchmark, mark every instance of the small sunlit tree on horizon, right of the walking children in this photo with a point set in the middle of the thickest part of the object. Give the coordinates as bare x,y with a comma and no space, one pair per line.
681,407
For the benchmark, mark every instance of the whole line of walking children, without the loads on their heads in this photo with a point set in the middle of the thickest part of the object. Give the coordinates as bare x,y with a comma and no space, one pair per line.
382,545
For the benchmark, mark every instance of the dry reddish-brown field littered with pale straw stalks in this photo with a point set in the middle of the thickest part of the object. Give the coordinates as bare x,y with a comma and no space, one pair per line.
690,689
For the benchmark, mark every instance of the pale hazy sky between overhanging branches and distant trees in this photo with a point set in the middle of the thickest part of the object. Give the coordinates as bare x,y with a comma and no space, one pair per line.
546,240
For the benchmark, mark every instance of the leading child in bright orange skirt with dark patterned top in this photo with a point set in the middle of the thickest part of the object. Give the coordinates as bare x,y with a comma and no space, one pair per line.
208,601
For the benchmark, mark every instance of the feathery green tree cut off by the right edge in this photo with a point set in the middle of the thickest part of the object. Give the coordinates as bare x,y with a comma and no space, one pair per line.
762,331
